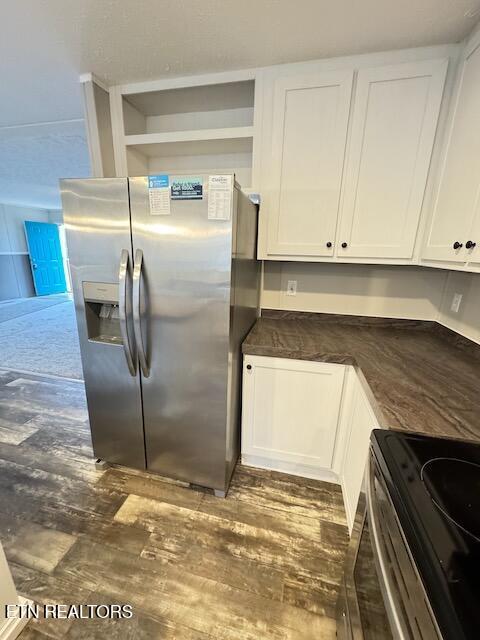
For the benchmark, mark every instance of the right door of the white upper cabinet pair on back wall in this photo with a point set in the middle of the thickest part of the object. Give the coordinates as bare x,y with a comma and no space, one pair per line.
393,129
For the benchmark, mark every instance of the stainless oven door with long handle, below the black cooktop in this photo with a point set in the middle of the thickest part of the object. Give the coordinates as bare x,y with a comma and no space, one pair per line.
383,594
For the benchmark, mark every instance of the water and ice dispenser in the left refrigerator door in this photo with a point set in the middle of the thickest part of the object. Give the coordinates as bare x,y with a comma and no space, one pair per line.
101,312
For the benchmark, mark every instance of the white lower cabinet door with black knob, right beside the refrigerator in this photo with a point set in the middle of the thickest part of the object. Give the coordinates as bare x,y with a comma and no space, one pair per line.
290,414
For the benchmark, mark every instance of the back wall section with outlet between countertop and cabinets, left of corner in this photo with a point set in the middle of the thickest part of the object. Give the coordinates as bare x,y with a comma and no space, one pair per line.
385,291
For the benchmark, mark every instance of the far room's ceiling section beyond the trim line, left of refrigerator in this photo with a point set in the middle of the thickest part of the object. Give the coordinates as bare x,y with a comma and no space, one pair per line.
32,159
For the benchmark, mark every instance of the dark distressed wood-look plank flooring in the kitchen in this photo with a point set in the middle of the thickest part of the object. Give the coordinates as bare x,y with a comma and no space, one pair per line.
264,563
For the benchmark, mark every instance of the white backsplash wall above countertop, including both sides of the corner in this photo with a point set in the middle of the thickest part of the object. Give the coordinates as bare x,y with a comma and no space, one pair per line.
382,291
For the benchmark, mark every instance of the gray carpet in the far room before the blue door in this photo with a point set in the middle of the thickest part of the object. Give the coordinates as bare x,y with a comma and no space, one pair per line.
42,341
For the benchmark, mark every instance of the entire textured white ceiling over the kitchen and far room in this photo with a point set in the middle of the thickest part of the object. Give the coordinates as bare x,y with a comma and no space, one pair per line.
46,44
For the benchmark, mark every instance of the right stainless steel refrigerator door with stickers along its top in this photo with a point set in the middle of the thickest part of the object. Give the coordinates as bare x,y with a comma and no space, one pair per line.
182,308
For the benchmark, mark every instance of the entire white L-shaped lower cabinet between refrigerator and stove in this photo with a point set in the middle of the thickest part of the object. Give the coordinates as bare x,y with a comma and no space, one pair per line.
311,419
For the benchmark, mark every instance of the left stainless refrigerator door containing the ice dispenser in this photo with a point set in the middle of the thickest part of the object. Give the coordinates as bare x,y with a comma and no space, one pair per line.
97,220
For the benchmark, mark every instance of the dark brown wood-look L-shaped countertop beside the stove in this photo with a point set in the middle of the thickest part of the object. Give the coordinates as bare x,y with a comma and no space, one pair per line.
420,376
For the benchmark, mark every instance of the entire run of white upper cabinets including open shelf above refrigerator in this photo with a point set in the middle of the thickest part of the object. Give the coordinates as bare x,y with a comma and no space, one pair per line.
339,150
